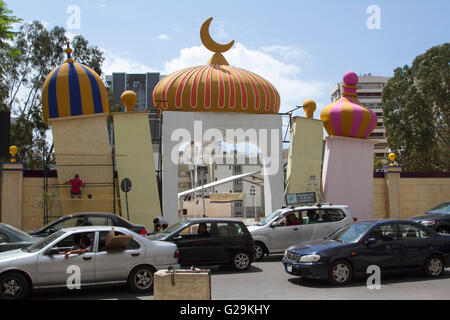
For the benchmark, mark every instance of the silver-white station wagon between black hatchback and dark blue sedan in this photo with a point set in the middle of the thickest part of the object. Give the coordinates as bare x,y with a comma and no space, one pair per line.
276,233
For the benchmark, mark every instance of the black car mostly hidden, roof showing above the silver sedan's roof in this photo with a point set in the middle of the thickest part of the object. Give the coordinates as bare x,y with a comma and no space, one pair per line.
88,219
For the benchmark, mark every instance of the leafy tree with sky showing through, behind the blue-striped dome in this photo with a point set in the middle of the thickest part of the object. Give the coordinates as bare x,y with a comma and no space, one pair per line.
41,50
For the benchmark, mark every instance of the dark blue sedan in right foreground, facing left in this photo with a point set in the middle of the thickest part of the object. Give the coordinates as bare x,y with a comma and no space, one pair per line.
393,245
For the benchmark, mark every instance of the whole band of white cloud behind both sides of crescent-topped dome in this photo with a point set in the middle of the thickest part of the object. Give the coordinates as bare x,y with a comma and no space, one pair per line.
294,88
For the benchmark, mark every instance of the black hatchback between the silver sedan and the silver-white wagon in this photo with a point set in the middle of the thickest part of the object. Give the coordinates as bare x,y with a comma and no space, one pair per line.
211,241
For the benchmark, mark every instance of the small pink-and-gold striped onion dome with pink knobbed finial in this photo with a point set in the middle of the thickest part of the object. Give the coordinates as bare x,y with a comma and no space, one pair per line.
347,117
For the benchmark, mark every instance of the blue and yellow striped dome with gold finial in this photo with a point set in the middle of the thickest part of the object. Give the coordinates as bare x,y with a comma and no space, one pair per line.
73,89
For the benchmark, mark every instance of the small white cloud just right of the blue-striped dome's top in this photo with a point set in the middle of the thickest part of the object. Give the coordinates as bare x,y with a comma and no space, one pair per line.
122,62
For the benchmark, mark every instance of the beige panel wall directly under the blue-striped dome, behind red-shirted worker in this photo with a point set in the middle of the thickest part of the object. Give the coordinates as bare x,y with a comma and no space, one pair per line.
82,147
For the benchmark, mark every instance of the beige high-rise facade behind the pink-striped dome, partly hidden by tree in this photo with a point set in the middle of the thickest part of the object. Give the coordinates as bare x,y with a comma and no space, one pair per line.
370,92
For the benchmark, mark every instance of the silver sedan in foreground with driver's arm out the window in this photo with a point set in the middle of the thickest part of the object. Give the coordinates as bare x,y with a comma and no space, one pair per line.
43,265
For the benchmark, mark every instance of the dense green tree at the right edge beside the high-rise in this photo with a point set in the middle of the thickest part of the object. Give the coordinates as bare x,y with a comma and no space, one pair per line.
417,112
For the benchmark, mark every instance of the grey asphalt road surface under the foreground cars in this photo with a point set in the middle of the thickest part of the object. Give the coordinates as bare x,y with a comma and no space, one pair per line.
266,280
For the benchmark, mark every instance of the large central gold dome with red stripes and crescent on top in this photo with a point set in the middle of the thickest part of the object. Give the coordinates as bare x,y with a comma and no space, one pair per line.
216,87
